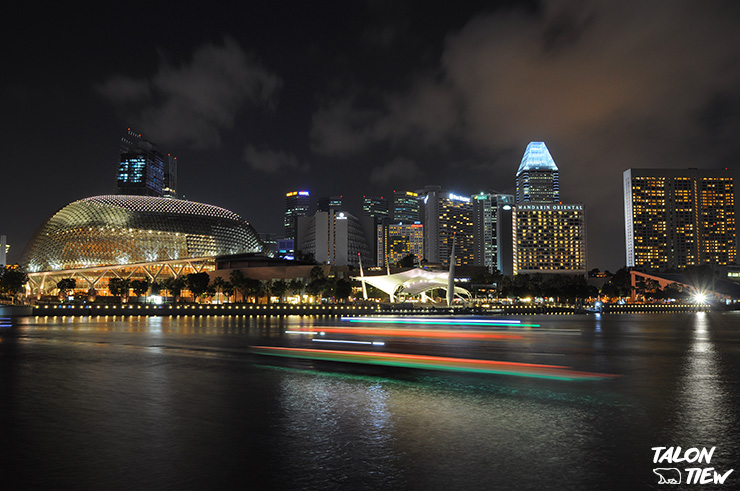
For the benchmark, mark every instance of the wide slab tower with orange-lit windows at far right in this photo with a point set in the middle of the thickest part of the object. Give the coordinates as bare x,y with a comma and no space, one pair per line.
679,217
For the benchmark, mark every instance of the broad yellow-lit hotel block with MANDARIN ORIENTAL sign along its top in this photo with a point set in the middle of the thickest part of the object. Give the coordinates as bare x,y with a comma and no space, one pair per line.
550,238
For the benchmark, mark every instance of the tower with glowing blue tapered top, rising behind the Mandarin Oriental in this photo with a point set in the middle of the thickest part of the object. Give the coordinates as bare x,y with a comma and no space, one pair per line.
537,179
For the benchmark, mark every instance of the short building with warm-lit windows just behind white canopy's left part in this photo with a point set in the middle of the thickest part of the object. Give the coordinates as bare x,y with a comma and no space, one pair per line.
395,241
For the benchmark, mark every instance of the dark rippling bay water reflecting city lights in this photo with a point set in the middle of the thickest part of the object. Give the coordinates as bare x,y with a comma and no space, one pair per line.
182,403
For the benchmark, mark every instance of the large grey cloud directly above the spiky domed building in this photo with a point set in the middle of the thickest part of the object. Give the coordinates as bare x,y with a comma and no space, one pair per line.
191,104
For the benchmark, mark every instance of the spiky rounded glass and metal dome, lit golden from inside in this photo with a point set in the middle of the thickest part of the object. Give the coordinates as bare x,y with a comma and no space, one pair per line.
118,230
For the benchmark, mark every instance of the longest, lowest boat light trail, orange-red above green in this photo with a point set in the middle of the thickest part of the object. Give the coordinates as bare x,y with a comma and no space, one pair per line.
553,372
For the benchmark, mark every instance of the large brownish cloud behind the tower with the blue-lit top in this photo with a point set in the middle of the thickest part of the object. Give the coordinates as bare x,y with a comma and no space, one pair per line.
608,85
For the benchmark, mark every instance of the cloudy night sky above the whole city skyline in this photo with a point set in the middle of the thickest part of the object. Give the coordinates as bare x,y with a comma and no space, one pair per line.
364,97
